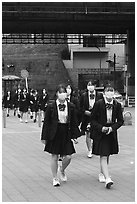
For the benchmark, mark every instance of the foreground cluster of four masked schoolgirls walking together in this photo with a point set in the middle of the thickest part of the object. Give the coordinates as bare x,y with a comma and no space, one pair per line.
95,115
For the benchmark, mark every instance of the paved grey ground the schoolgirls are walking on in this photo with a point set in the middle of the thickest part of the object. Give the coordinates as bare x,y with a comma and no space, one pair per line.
26,174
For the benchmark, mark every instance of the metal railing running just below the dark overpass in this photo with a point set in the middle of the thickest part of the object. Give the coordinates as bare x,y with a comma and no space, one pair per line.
15,38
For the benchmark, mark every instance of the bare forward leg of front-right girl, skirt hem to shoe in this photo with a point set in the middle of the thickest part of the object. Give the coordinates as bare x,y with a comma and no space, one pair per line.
104,166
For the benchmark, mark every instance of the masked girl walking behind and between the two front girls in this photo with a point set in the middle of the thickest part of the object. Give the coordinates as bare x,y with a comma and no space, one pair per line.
87,101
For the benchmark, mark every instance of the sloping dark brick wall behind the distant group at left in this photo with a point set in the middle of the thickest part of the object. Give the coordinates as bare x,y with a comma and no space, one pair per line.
43,62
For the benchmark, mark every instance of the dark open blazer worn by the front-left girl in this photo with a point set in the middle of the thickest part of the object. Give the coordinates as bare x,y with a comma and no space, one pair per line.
50,124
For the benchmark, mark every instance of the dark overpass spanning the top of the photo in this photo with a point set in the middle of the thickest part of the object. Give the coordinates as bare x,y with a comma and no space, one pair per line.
68,17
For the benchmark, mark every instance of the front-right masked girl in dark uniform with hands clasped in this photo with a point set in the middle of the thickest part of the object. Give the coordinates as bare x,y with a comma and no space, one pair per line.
106,118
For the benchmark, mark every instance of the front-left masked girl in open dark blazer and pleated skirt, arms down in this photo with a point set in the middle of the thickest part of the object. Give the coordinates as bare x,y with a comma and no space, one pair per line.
58,129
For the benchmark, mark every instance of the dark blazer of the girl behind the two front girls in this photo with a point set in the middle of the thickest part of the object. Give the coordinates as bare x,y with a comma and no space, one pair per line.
84,105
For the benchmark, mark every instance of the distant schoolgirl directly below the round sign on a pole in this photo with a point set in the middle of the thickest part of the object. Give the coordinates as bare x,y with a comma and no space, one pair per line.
24,104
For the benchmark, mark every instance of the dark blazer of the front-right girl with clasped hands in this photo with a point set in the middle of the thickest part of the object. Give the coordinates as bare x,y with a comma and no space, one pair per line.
99,118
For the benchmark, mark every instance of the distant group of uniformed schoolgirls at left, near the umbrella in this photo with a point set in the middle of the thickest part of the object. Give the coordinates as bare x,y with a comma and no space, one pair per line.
26,103
